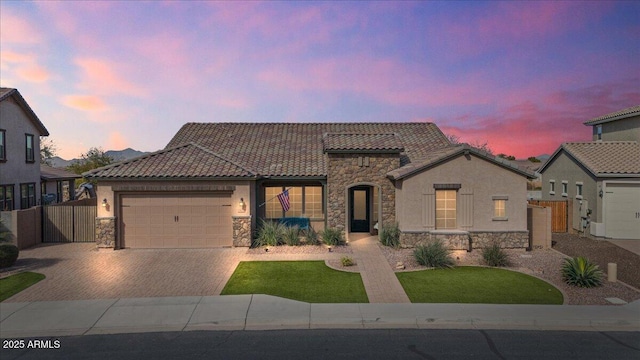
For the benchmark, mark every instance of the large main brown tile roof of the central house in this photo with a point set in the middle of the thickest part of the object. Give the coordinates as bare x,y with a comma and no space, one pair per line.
296,149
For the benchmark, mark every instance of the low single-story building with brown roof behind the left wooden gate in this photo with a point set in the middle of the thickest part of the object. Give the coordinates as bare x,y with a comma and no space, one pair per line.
57,184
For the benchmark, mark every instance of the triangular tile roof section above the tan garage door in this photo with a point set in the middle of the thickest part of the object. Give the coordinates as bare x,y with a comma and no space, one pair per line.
188,161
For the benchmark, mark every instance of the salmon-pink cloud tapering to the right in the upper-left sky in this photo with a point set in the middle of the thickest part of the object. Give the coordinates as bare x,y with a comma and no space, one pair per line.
102,77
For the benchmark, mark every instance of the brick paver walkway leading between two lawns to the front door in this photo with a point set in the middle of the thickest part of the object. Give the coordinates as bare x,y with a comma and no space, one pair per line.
379,280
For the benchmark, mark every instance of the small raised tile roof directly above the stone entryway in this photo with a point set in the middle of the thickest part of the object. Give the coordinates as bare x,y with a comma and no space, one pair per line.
345,142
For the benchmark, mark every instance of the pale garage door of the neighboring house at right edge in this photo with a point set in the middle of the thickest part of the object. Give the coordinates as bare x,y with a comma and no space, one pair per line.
622,211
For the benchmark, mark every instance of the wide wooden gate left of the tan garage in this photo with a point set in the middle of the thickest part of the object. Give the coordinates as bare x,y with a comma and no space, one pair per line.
68,223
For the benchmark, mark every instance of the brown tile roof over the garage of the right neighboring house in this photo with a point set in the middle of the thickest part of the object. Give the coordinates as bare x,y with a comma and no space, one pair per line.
603,158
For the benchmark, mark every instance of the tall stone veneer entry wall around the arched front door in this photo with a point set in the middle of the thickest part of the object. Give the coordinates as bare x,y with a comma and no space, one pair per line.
343,170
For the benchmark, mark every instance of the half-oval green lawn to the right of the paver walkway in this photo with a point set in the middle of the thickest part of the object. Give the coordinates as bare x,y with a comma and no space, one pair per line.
468,284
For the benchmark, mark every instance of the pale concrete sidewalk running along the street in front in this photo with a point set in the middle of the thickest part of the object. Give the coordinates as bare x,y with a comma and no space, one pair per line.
260,312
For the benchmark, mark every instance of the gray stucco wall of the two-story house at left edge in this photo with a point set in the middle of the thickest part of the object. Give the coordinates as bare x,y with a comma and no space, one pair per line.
15,170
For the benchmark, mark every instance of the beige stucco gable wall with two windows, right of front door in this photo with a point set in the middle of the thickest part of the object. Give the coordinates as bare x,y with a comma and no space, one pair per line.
480,181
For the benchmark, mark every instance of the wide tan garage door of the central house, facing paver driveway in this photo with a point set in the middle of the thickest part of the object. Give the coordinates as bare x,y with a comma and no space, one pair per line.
176,221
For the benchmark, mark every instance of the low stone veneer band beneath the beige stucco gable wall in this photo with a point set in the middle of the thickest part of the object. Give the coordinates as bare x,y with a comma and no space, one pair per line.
460,240
